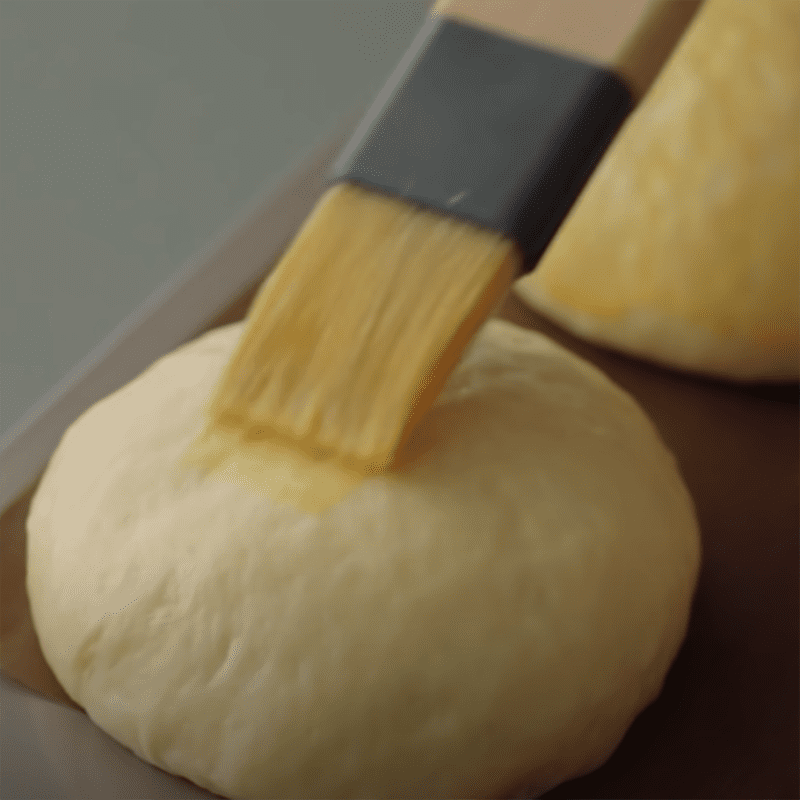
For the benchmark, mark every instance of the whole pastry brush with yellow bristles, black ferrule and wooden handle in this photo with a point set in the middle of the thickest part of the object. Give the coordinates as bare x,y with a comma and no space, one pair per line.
450,188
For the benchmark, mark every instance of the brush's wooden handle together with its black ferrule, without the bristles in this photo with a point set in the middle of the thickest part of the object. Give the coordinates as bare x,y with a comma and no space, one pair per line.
501,109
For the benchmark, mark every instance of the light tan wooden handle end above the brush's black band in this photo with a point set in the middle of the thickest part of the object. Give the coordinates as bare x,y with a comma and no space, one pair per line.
632,37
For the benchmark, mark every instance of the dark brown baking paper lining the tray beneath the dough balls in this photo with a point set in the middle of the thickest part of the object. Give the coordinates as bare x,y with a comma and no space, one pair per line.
726,723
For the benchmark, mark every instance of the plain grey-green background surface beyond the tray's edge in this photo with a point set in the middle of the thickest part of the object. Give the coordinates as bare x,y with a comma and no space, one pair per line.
132,132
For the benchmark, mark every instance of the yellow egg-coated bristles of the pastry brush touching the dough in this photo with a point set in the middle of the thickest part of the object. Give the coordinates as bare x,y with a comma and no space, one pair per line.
352,337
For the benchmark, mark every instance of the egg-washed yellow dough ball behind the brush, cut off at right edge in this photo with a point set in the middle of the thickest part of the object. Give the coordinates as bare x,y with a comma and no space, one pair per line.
684,247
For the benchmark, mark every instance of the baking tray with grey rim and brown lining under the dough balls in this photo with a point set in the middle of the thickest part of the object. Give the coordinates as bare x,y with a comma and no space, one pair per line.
726,723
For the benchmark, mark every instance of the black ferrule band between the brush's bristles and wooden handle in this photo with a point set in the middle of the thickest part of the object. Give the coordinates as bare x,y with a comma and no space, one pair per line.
489,130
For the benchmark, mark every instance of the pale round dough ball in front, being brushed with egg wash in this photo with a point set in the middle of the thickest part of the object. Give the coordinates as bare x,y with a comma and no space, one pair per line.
495,612
